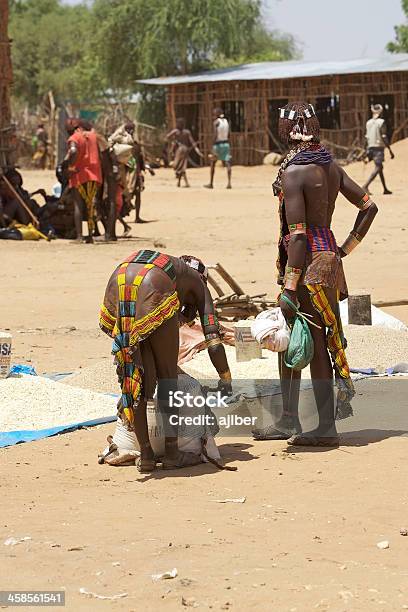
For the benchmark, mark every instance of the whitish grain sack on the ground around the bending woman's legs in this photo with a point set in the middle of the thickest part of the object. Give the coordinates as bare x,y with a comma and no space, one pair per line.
127,447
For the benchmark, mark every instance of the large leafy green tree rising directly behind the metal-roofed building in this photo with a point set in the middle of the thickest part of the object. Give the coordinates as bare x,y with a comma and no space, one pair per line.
137,39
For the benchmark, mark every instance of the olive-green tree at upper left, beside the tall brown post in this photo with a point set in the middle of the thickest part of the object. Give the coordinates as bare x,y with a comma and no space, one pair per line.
51,51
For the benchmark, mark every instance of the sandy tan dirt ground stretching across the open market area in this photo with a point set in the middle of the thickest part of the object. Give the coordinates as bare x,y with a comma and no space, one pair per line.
306,536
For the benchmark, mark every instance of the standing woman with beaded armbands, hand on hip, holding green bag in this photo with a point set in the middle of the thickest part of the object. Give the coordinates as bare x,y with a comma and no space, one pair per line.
311,271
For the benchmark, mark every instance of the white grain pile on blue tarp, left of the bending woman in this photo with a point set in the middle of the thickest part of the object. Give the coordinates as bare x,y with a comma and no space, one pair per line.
34,402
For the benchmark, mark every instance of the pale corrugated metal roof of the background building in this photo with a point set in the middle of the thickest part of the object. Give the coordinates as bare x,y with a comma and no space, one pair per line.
288,70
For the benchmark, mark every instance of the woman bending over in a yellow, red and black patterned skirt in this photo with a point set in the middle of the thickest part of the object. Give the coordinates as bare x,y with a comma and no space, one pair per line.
147,298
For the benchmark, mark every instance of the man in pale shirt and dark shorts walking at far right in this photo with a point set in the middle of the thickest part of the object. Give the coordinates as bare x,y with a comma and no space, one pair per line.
377,140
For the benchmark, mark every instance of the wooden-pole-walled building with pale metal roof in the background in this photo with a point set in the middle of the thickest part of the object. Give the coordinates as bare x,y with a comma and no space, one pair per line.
341,92
